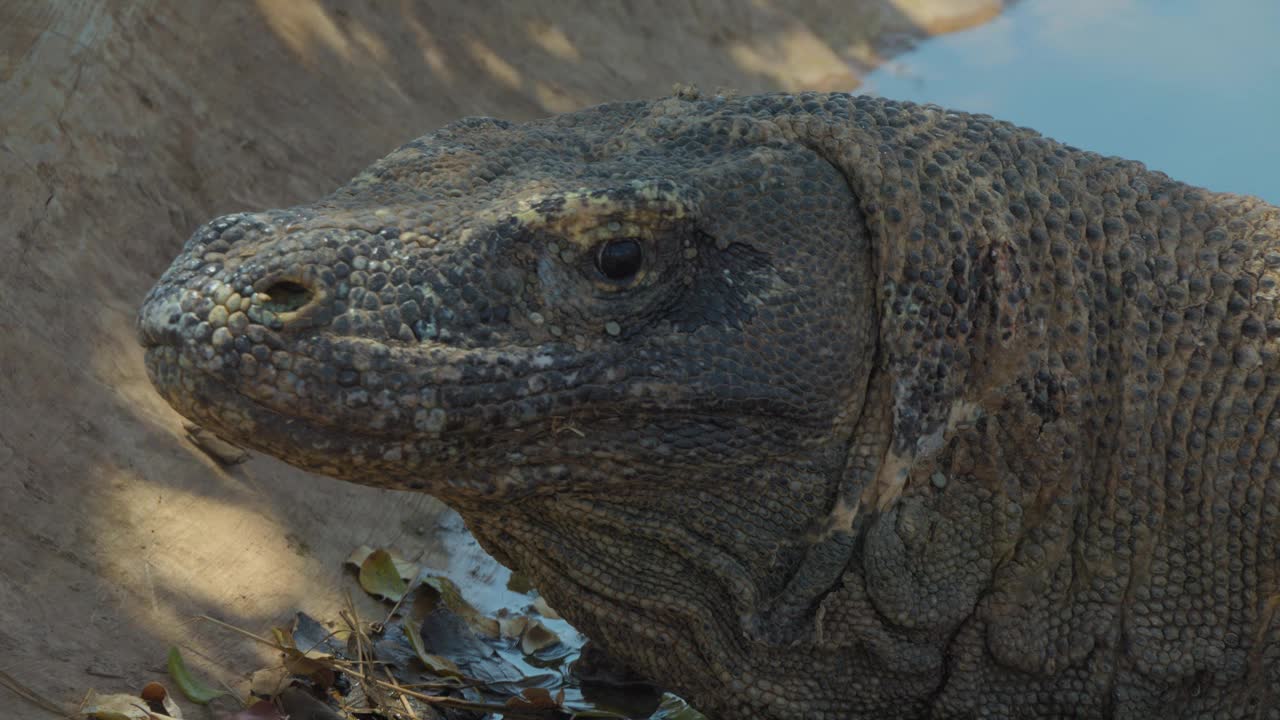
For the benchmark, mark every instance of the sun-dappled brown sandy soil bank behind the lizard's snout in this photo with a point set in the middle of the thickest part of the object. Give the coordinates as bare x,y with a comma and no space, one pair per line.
126,124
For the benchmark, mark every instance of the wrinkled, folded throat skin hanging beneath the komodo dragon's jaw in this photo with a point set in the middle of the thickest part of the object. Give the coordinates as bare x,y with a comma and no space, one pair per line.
680,576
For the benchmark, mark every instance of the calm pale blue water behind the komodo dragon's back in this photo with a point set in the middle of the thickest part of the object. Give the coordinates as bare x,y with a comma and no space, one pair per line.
1191,88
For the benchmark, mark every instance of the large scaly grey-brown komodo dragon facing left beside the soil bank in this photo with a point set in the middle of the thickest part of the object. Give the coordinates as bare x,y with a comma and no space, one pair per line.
802,405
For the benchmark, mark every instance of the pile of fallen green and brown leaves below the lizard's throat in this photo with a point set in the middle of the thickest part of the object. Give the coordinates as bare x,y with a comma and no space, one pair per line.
433,657
